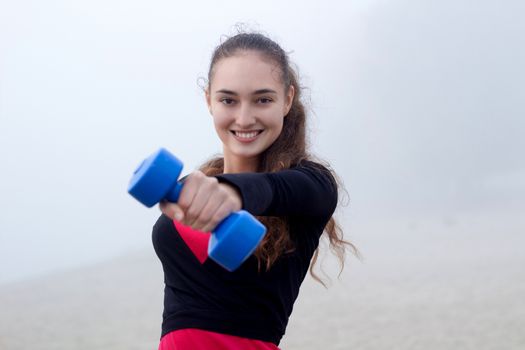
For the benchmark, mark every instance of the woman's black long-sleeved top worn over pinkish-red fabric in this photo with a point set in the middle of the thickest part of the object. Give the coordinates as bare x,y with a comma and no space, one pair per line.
248,302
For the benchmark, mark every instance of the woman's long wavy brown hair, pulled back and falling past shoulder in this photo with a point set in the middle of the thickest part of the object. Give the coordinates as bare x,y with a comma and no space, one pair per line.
288,150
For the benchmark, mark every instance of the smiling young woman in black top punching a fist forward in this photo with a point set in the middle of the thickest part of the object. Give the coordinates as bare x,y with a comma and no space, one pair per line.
253,96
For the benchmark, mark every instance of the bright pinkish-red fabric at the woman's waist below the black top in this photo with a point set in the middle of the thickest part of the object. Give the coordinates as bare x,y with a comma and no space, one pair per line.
197,339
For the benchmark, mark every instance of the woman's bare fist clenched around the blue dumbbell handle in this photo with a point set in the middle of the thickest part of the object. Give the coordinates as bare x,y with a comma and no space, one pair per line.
203,202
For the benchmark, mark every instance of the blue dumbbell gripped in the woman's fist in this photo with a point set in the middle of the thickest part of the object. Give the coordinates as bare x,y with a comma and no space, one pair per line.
232,241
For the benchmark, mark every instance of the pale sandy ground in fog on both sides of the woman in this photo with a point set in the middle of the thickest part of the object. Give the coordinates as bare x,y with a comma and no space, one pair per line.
423,284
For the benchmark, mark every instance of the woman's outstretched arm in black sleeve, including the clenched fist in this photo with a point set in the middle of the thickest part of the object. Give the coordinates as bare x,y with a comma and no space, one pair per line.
306,190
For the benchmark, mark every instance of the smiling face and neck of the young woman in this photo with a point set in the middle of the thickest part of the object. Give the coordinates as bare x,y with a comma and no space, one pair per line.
248,102
